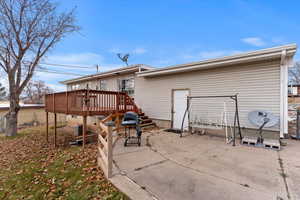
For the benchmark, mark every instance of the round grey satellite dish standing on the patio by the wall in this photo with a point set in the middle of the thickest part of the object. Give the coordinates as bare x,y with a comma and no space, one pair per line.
260,117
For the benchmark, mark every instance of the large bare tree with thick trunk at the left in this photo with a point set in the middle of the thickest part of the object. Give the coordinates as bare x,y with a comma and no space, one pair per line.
28,30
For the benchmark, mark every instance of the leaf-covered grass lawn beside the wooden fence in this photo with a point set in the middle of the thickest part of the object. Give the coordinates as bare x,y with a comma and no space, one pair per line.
31,168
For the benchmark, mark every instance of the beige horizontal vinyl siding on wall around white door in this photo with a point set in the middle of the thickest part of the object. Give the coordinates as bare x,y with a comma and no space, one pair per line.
257,85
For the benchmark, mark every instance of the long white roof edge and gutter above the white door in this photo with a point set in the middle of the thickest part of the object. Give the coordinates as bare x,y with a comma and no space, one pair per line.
270,53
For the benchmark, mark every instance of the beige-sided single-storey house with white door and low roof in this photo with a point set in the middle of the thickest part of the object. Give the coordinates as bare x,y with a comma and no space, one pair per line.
258,78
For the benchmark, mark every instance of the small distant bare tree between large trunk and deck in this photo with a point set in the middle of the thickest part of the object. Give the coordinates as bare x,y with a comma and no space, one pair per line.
34,92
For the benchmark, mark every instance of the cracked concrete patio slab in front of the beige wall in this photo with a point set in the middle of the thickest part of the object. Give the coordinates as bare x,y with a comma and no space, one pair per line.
202,167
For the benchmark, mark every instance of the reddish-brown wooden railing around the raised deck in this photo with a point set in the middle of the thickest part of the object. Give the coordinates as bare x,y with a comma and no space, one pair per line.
89,102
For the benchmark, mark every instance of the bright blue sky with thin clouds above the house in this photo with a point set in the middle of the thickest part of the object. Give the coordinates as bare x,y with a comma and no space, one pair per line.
168,32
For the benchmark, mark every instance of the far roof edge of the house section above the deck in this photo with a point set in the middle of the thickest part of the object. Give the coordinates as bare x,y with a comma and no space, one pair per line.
122,70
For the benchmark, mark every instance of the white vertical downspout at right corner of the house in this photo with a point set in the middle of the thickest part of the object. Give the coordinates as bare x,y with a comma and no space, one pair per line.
283,94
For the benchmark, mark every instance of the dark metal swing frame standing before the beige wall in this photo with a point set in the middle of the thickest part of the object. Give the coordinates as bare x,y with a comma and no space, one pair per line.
236,113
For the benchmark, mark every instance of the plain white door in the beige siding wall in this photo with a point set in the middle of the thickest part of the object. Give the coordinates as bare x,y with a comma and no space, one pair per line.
179,107
